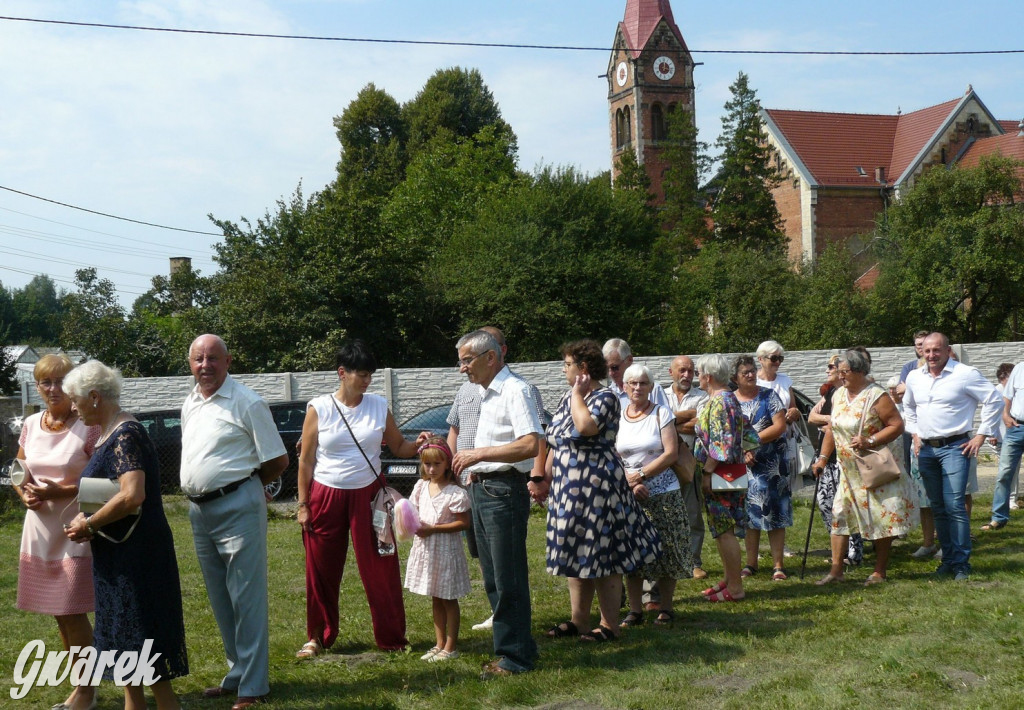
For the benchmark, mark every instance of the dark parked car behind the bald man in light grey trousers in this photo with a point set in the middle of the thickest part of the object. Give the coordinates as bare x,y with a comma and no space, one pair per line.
164,427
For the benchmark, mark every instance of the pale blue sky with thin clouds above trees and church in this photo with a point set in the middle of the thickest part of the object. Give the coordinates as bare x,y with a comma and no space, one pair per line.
169,129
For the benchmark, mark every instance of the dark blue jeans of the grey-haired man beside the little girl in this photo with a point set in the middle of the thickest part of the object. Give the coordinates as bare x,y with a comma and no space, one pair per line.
501,509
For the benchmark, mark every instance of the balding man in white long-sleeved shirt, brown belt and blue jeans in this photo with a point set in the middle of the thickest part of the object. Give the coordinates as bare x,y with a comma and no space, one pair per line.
940,405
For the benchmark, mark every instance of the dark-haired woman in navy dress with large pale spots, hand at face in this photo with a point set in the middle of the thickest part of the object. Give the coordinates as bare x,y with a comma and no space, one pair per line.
596,530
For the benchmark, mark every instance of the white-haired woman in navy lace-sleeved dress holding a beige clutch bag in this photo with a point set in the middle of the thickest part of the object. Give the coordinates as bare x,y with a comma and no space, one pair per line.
136,574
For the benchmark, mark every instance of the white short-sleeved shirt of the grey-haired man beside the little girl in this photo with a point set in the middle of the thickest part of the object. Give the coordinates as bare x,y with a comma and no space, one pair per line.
507,413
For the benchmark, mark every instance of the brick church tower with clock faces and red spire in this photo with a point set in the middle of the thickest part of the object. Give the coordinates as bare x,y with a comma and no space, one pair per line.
651,73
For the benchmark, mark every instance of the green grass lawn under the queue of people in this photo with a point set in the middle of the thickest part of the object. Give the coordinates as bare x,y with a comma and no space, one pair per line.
913,643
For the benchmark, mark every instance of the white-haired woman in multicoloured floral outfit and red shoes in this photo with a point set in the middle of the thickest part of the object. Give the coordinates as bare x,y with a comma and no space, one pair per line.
722,436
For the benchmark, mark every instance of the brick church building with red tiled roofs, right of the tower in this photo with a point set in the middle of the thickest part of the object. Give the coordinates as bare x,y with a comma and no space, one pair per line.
841,171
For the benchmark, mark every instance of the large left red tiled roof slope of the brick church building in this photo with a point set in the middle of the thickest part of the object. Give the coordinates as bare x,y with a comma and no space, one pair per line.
833,146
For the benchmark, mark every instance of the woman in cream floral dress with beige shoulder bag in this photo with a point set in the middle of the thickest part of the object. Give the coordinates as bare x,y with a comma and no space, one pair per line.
881,514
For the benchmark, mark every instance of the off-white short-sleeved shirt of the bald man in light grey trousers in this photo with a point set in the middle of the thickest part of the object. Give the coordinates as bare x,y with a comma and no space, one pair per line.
226,437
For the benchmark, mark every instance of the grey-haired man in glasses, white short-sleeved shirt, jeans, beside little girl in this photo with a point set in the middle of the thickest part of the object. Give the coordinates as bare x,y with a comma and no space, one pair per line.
507,438
